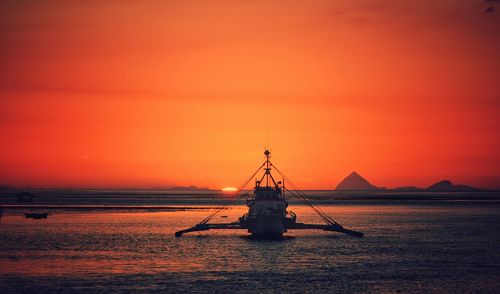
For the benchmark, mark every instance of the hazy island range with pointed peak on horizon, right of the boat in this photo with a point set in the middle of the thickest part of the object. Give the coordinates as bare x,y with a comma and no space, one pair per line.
355,182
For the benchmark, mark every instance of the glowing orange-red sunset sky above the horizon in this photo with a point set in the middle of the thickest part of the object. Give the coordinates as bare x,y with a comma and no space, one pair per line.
161,93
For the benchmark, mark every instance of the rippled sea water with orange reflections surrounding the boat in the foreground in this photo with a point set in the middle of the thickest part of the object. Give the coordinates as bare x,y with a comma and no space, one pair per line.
431,248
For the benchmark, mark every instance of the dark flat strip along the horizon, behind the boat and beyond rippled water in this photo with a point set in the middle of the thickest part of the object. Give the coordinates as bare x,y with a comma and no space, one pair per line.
199,200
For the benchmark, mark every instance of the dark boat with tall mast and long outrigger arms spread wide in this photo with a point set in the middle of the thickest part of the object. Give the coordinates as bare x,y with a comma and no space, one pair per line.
267,215
